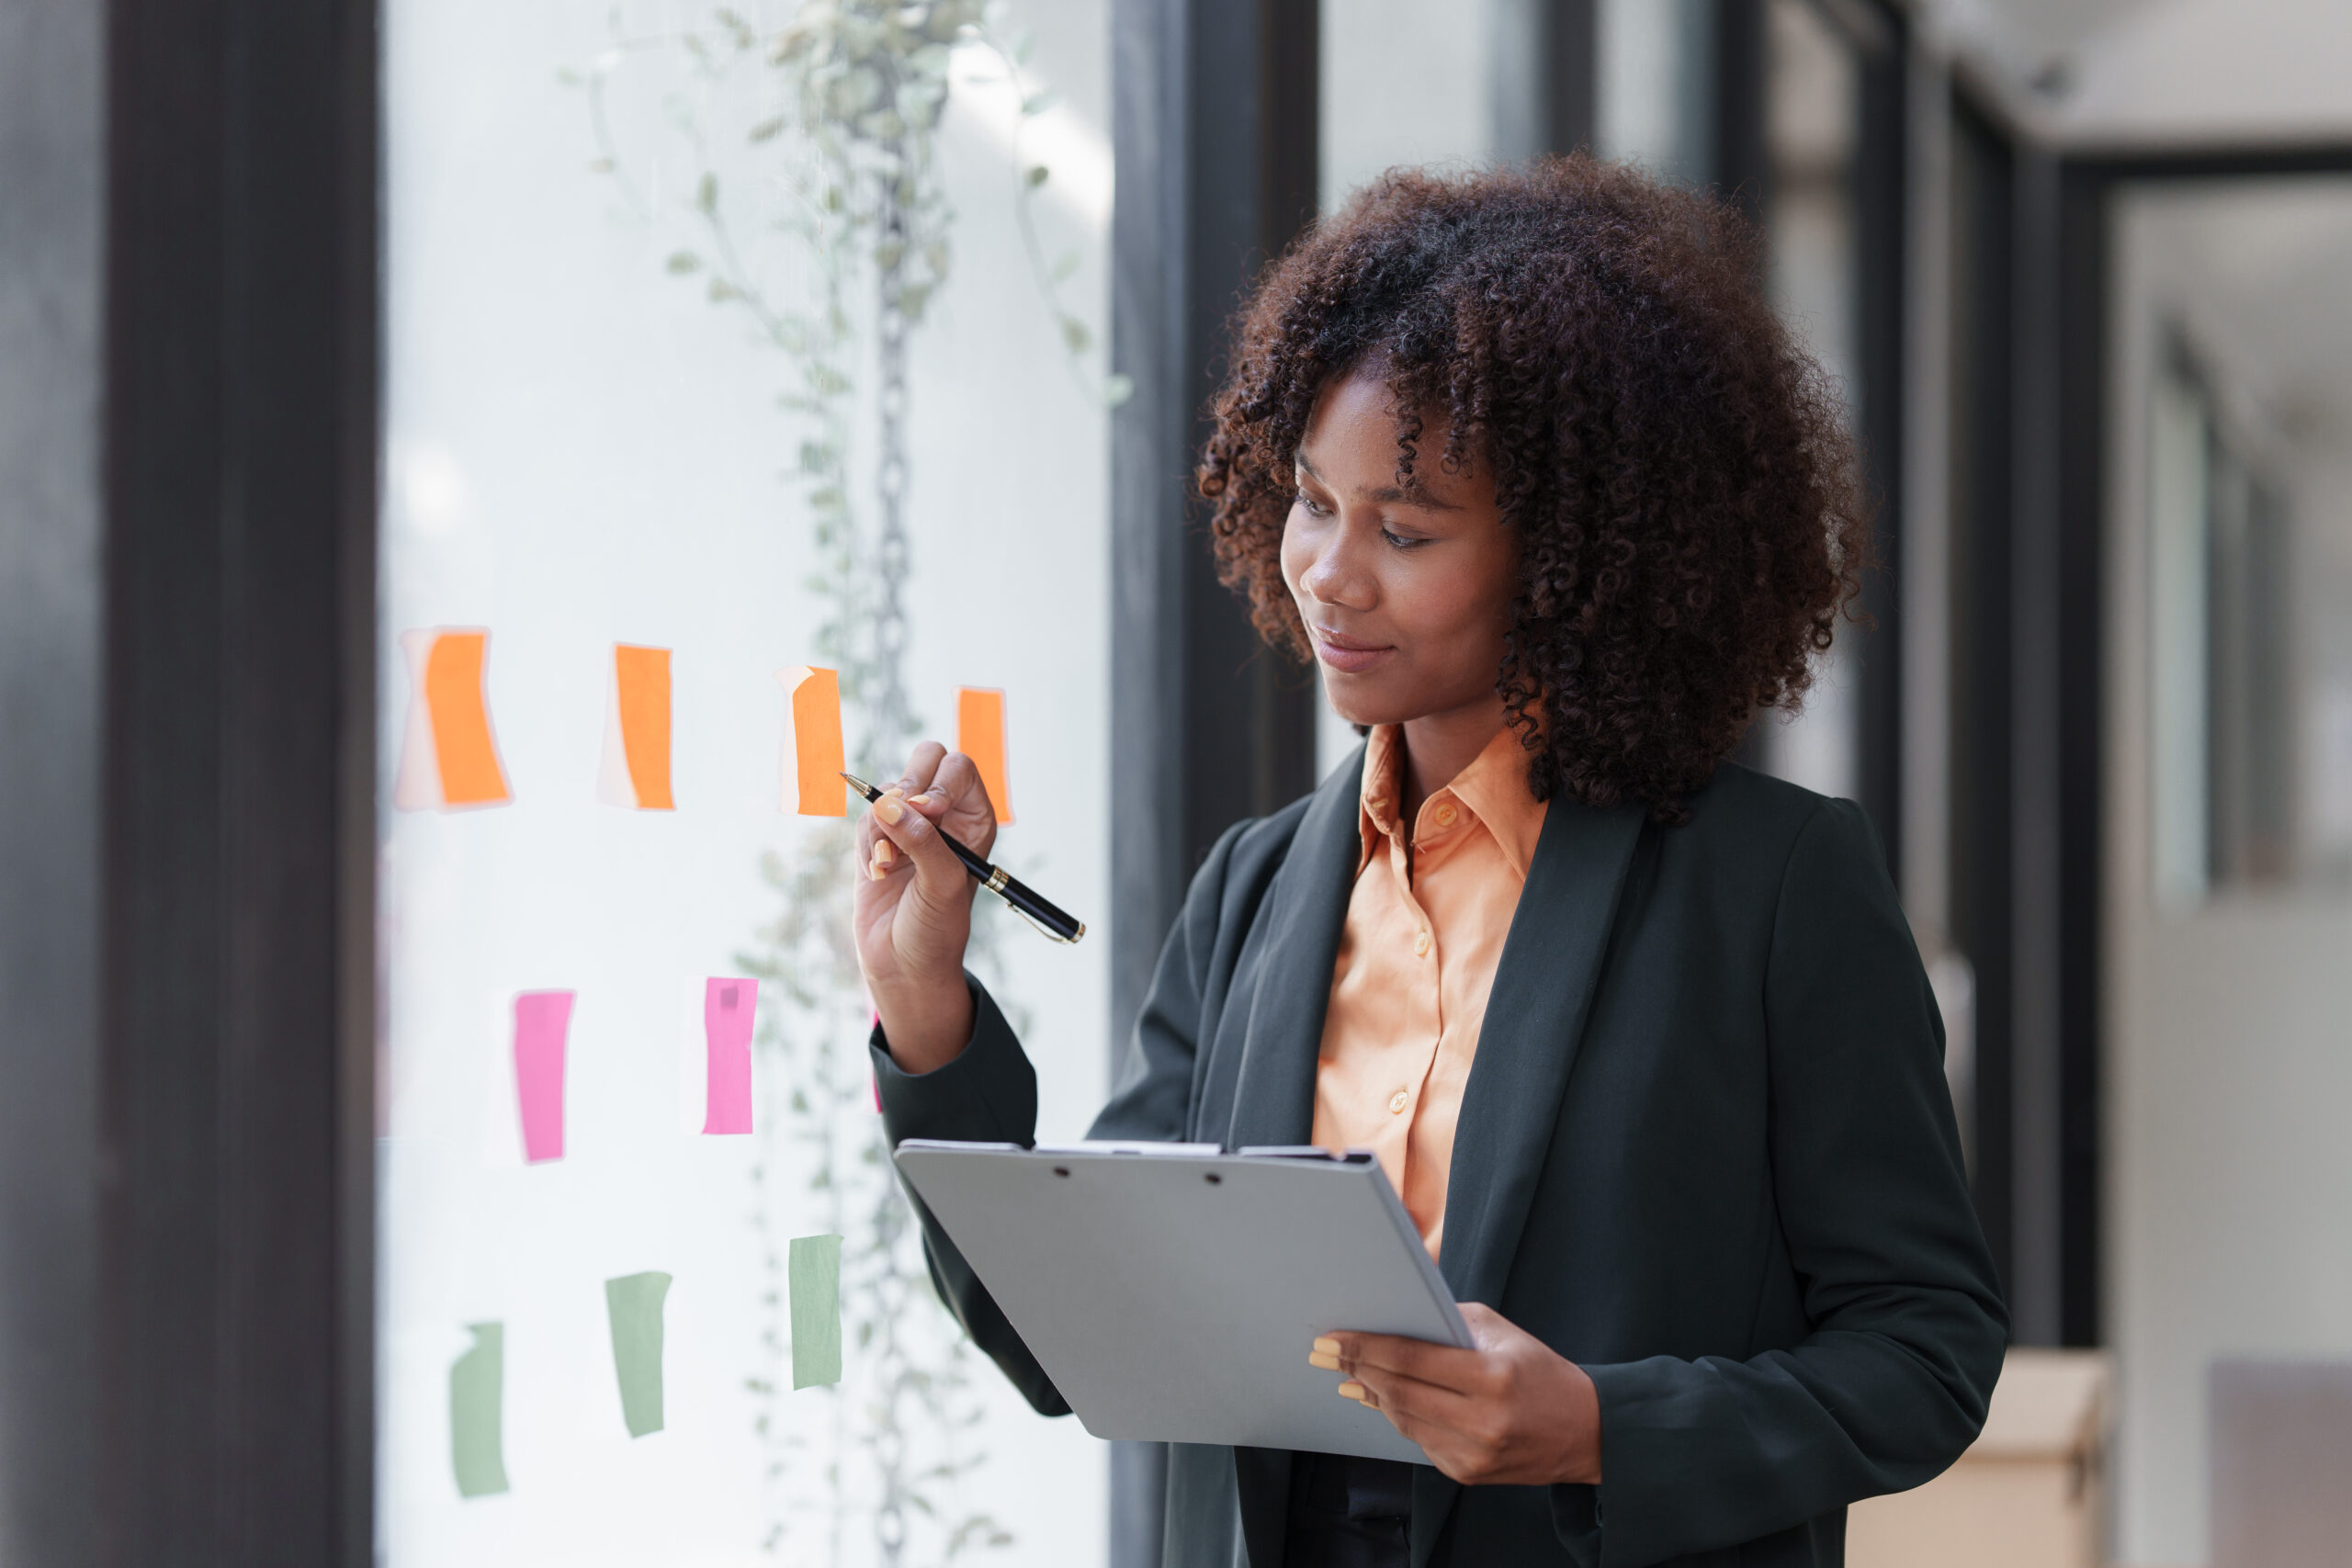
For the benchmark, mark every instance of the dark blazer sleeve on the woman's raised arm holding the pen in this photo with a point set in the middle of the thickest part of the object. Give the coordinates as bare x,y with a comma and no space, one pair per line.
989,1094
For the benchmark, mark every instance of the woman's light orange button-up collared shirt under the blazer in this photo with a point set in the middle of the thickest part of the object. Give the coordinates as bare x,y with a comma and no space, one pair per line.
1417,958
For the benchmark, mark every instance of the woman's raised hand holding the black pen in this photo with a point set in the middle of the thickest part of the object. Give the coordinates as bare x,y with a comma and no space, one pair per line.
914,904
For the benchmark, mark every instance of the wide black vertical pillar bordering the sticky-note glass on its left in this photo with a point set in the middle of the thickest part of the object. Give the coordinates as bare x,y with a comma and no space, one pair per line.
236,1061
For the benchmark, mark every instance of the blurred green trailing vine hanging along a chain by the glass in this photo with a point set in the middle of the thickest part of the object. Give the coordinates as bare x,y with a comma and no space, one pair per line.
824,135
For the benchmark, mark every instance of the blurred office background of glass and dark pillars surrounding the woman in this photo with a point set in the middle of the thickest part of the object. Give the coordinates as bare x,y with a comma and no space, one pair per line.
876,337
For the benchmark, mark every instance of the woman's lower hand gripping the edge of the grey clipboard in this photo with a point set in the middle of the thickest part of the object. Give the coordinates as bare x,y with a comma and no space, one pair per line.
1509,1414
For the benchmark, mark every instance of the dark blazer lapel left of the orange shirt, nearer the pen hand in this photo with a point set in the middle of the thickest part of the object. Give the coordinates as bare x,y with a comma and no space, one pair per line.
1274,1101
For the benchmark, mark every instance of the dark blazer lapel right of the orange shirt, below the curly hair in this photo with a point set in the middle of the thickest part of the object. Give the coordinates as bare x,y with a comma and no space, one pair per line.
1525,1052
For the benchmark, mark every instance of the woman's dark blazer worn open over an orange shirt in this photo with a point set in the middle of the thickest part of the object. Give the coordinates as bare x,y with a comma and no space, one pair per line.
1706,1153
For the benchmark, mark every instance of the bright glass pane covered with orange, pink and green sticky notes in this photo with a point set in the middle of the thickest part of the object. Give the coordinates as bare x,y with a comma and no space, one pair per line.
733,361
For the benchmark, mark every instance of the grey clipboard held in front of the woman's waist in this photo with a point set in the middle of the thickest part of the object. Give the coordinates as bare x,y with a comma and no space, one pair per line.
1172,1292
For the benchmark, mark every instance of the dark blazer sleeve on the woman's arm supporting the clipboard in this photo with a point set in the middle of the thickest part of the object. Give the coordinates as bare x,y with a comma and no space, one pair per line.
1899,1289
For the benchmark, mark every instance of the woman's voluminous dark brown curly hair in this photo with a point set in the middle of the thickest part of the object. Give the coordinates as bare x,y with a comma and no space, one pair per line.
1676,469
